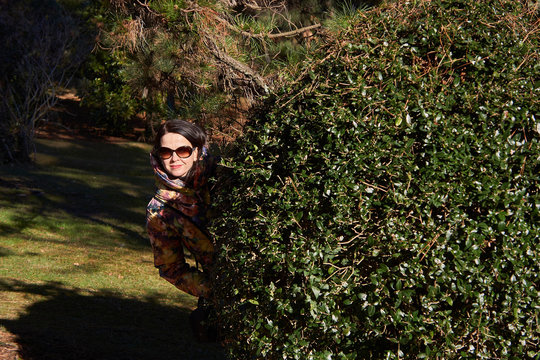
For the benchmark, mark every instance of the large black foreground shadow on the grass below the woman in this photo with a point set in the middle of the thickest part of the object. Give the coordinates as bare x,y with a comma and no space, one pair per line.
68,324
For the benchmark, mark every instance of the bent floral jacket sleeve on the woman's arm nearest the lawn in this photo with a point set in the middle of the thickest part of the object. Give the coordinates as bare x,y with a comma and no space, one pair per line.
167,243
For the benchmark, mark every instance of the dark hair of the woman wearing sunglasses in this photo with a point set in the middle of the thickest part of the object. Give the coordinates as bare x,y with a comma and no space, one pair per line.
192,132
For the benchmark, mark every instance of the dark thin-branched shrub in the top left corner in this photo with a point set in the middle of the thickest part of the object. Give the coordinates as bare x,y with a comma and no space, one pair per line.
43,46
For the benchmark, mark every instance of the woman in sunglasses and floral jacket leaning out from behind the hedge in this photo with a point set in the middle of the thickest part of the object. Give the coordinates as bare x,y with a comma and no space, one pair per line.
176,216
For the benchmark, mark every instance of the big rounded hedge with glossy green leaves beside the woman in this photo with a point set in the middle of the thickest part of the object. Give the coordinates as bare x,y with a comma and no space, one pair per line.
386,206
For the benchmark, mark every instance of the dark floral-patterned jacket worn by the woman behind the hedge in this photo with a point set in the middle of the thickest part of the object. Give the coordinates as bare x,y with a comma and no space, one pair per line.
176,218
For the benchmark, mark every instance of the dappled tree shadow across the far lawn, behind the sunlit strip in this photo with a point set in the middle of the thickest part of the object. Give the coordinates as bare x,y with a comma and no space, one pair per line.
105,184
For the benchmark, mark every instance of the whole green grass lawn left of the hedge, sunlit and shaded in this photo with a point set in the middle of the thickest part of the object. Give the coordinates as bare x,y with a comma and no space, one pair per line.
77,279
